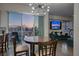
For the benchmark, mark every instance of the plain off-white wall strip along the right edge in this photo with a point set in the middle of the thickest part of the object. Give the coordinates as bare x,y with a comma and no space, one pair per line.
76,29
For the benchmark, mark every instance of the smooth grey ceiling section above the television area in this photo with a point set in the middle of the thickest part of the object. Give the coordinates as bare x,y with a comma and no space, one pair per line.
61,9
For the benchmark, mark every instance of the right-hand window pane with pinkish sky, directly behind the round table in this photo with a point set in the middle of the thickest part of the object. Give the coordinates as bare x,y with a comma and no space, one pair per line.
27,24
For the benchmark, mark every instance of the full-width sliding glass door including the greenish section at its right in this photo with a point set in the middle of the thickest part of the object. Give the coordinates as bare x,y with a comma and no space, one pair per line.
25,24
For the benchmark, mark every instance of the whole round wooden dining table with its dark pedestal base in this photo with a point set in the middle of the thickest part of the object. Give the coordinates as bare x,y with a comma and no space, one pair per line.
34,40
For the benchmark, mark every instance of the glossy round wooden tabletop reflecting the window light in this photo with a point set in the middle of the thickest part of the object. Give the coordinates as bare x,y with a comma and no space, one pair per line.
35,39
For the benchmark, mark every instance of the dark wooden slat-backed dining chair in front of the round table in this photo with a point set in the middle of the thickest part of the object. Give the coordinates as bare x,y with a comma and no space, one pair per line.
47,48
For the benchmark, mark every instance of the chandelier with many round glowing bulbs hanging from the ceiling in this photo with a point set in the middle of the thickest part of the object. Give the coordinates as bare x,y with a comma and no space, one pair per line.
39,8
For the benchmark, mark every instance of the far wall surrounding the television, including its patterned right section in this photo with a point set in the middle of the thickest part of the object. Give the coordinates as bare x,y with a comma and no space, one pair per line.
67,23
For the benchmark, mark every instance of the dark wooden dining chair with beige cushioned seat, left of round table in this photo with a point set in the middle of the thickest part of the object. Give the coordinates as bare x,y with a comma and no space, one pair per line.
19,49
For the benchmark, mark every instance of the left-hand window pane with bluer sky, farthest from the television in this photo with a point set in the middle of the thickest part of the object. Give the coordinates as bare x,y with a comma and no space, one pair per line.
15,24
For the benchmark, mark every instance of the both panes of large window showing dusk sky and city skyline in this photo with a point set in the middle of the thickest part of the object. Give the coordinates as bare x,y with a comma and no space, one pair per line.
20,23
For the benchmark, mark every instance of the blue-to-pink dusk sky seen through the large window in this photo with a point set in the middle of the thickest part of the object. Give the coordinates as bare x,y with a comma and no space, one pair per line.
18,18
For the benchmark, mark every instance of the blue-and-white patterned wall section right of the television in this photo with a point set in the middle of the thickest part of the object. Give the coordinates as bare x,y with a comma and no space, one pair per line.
67,27
